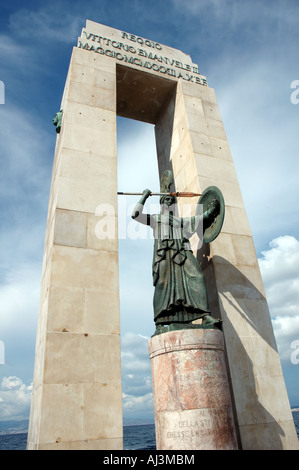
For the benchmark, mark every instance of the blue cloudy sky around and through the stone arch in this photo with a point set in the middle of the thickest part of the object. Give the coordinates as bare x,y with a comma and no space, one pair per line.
249,53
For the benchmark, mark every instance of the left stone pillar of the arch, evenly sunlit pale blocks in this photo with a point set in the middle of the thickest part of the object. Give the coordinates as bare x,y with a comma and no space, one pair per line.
76,400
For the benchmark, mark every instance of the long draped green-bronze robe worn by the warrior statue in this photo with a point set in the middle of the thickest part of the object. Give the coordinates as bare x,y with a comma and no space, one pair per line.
180,293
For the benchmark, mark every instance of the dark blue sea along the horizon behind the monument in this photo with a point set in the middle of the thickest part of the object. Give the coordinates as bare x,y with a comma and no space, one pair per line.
139,437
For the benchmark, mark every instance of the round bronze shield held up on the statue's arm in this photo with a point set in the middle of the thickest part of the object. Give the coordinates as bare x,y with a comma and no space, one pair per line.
212,227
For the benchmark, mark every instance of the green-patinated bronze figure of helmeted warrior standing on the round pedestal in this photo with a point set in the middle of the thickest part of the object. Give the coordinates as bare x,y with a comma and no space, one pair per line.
180,295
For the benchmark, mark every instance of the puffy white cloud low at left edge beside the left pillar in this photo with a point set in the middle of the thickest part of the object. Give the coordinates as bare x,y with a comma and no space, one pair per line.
15,399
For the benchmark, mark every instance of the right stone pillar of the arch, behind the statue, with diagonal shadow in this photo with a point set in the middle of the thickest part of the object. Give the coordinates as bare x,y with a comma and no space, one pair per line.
191,141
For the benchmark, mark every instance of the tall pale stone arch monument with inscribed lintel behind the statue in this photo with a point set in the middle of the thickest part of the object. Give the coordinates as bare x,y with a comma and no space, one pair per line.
77,401
